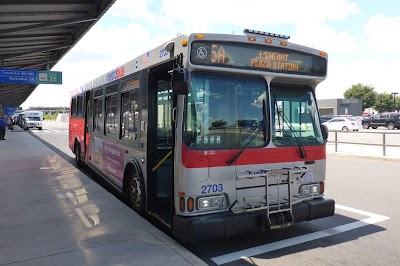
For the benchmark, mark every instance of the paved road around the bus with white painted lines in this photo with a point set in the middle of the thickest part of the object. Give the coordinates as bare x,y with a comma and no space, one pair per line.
364,230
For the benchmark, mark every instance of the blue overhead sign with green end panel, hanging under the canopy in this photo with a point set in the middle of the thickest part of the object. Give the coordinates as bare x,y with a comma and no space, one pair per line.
22,76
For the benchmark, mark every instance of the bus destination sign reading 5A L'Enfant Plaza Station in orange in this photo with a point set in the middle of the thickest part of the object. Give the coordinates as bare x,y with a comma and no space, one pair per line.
268,58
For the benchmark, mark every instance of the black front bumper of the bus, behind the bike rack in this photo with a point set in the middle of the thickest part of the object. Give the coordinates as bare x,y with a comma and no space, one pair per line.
225,224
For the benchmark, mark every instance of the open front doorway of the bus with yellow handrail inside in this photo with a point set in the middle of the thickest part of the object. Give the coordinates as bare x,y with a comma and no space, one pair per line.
160,146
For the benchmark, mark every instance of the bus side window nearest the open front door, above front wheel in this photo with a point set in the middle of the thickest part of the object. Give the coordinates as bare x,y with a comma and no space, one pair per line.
130,116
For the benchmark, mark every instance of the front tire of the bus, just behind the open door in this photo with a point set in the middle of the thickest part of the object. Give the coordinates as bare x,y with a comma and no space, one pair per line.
134,191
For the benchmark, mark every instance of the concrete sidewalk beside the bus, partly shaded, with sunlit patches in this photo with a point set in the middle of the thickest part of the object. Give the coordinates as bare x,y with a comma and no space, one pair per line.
52,214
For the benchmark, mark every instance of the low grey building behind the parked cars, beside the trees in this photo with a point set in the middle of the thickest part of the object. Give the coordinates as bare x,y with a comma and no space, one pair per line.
340,107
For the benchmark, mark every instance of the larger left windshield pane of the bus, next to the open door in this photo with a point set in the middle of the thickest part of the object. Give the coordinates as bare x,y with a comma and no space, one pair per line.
222,109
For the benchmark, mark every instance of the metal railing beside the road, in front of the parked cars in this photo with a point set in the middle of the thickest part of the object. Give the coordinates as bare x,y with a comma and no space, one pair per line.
385,140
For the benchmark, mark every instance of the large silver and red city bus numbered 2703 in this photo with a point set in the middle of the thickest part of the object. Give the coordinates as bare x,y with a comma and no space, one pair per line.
212,135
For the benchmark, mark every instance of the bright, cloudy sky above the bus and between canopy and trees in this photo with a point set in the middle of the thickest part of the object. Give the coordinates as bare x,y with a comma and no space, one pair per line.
362,38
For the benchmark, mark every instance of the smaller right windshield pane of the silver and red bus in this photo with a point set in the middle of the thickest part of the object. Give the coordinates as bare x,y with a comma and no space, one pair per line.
295,116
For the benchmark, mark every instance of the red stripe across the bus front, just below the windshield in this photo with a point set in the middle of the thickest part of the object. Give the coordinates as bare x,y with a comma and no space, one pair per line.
199,159
